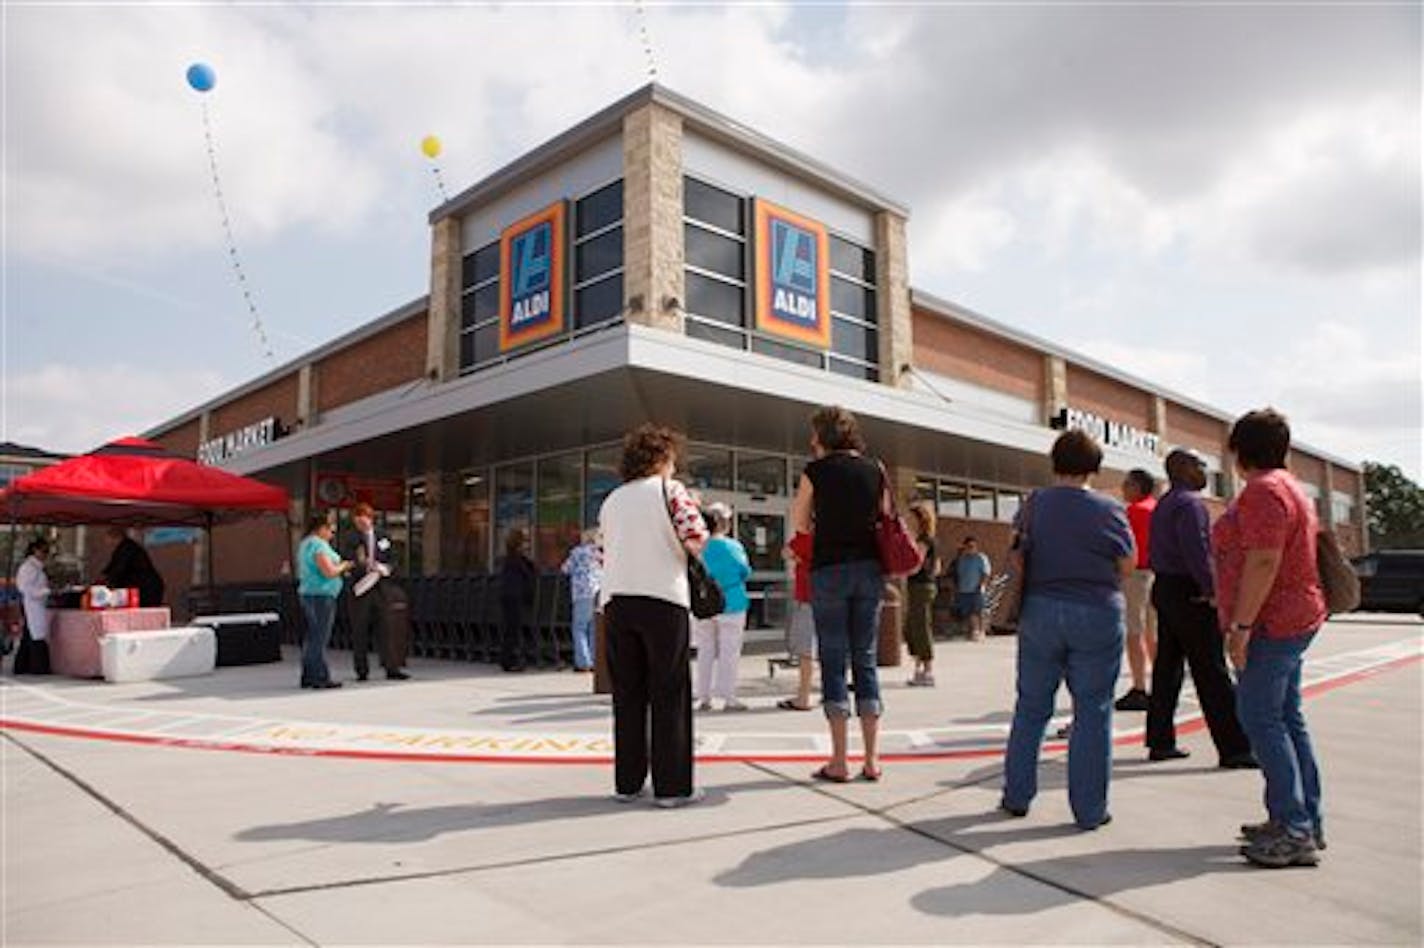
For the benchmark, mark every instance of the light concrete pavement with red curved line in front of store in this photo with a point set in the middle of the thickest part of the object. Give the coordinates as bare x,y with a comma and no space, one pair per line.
115,842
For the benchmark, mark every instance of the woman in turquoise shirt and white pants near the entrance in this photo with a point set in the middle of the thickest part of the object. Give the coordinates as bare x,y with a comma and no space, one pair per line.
720,638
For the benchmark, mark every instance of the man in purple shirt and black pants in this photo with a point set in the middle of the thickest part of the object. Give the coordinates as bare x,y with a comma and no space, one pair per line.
1184,597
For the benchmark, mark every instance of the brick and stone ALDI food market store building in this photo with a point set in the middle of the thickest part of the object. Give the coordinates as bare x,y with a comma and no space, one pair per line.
660,261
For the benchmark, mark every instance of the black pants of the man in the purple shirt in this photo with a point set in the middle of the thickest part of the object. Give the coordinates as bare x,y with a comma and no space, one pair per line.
1187,630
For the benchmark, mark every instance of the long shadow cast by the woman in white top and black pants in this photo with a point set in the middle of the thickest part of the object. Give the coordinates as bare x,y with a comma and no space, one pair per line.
398,823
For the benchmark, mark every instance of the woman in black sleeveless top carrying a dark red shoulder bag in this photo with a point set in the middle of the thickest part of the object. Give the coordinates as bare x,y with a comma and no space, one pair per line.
837,502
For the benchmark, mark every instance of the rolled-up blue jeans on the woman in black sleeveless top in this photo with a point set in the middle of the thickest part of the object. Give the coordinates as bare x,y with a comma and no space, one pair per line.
845,600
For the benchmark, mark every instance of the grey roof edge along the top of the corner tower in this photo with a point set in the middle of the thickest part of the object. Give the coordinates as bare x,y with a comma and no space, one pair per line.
714,125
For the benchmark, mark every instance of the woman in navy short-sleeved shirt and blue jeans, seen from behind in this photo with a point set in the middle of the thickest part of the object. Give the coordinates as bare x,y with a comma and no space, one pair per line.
1079,547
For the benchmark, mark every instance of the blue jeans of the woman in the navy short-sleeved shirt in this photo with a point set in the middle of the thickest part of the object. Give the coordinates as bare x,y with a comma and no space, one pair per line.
1063,640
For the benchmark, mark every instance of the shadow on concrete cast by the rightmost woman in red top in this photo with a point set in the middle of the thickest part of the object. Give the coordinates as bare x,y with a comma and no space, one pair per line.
1101,876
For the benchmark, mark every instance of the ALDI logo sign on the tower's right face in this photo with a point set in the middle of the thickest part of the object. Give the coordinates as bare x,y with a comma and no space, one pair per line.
792,277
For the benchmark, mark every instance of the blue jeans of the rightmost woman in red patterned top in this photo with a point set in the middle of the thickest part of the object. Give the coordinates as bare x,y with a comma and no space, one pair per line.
1268,702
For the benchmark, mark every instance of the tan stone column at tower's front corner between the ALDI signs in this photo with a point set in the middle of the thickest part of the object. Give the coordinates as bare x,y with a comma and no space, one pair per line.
654,287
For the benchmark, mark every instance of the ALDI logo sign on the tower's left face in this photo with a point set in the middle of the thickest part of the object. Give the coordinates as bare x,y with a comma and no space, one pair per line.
532,278
